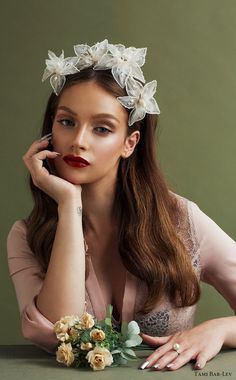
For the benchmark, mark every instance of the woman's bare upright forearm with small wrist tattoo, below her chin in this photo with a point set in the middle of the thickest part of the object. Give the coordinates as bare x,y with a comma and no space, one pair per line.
63,291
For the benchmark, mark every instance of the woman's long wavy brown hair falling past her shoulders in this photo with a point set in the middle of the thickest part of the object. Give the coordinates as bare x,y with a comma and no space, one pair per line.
145,209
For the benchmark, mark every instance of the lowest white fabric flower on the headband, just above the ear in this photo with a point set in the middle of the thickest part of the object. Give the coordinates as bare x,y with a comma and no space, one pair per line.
140,98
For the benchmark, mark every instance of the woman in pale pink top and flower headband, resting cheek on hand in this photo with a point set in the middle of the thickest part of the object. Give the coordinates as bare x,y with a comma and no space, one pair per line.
105,228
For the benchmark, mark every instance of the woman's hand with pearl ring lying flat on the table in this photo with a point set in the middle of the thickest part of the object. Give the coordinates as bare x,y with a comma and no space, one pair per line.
200,343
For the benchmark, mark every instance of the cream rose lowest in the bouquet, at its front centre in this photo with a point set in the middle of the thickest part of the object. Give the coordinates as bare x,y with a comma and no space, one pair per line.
99,358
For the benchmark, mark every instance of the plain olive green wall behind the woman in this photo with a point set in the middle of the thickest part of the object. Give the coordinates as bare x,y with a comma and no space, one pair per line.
192,55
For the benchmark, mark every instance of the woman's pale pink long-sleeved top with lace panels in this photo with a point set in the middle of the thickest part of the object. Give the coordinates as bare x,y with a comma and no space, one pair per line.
213,255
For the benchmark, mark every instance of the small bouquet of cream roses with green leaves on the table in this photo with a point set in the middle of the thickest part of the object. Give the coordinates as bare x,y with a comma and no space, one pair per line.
85,342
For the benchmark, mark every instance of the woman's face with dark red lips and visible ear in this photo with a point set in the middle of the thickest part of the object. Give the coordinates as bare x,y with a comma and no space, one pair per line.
90,123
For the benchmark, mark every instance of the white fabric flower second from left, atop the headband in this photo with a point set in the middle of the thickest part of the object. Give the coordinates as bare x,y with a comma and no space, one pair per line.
89,56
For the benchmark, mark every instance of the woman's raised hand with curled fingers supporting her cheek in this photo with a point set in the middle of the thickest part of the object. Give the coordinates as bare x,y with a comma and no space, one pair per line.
57,188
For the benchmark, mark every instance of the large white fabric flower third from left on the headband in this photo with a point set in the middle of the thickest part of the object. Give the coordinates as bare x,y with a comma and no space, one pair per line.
123,62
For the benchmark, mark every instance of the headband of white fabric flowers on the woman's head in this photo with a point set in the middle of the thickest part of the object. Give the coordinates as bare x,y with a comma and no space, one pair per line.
125,65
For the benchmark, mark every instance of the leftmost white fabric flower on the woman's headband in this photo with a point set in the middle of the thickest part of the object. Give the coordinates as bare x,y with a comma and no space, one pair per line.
59,67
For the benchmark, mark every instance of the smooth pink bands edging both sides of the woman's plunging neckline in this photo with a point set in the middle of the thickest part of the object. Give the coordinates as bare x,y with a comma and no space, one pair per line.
97,300
